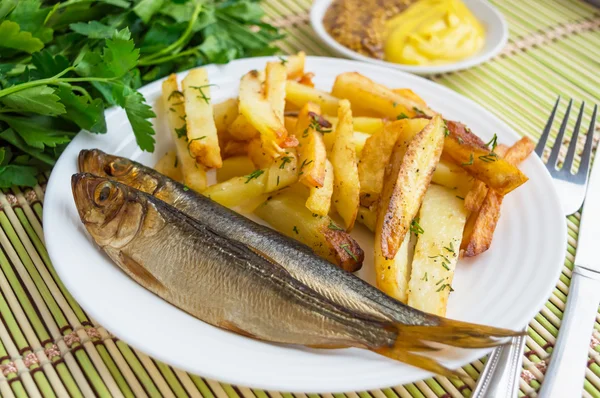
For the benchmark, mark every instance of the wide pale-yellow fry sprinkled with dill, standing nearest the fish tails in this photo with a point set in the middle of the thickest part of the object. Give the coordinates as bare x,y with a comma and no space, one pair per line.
442,219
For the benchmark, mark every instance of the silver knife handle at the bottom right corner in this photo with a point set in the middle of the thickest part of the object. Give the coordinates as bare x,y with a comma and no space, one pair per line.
566,371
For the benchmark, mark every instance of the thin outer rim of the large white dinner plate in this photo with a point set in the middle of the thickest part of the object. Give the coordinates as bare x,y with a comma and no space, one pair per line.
235,379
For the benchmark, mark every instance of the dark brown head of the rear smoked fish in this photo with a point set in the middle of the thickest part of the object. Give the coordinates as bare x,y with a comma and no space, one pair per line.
117,168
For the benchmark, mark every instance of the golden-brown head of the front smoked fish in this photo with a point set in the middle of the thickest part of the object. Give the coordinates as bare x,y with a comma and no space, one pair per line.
111,212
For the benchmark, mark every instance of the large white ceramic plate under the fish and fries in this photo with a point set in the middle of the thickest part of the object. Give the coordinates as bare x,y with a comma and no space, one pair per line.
504,287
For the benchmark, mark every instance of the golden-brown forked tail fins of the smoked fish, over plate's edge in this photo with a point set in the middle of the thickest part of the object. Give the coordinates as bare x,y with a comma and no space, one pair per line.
416,338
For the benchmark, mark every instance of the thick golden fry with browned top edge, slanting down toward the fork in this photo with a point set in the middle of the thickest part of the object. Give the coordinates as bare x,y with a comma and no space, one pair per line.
480,162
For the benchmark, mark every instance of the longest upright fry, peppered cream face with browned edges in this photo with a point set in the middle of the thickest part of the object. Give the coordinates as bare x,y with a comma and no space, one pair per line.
406,181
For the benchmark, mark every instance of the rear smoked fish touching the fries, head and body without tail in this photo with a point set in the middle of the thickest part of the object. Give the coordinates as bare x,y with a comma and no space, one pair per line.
332,282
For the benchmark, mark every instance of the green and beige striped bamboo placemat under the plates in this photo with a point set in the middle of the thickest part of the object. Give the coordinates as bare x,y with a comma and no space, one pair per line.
50,347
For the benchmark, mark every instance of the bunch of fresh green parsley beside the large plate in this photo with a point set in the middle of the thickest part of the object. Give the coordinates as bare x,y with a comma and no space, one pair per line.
64,62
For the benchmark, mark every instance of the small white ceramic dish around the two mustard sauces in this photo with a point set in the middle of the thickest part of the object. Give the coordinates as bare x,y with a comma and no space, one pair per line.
493,21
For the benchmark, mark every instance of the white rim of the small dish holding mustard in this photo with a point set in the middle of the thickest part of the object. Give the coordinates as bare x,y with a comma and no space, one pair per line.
317,11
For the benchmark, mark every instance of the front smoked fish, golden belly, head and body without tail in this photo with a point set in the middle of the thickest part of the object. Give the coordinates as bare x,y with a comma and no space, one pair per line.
214,278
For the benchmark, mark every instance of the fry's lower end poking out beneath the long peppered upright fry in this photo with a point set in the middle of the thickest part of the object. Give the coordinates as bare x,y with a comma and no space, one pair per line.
393,274
